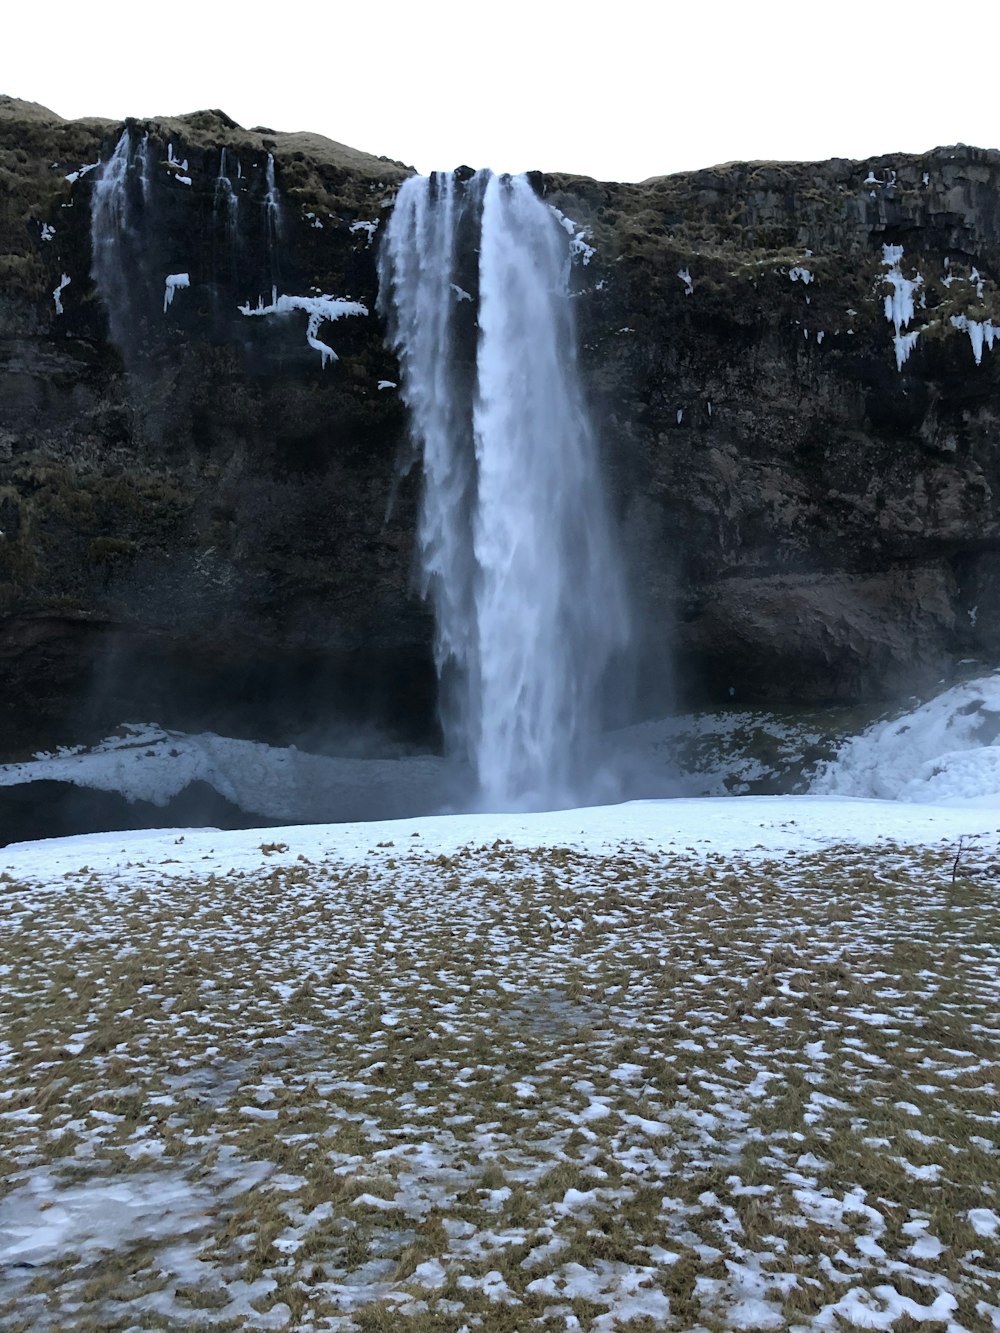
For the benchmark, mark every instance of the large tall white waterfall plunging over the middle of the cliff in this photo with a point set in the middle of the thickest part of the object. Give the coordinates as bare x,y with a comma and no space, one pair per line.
515,542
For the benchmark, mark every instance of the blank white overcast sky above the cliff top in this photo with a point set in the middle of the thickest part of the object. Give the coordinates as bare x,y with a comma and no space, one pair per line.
615,91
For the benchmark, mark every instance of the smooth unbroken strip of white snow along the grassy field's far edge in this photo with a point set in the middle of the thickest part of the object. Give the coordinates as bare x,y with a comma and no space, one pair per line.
757,827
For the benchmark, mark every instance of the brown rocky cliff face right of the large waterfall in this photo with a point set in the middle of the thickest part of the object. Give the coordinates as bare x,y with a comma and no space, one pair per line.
813,471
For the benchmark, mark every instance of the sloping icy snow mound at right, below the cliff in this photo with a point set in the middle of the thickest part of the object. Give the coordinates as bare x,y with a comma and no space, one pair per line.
949,750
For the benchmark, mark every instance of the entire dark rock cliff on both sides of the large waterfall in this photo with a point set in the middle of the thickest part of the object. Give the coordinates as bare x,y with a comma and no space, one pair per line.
203,511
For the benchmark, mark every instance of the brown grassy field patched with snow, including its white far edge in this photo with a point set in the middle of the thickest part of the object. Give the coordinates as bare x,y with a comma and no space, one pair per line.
686,1064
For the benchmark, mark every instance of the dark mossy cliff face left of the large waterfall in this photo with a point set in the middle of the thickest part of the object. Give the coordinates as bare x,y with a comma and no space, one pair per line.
197,513
